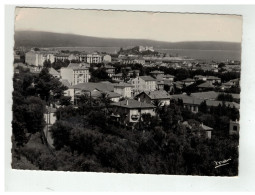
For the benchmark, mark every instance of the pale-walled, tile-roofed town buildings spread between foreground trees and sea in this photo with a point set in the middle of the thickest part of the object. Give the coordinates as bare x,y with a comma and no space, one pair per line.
136,95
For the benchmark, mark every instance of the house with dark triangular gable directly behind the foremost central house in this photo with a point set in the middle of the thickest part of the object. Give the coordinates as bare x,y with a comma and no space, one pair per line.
150,96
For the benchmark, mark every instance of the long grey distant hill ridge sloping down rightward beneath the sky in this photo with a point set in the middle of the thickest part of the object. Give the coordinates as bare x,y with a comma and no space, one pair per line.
49,39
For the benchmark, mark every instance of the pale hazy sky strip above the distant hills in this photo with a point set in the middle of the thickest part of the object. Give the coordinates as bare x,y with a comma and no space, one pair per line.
170,27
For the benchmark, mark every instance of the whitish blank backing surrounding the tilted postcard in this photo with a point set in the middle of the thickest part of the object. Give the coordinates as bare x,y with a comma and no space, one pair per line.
61,181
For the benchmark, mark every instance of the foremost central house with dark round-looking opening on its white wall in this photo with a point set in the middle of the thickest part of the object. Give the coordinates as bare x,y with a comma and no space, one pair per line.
130,111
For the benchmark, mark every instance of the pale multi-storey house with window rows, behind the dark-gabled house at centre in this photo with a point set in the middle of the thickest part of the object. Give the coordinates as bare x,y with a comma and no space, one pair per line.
144,83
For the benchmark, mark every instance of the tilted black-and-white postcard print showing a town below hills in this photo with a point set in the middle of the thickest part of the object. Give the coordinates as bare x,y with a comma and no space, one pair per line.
134,92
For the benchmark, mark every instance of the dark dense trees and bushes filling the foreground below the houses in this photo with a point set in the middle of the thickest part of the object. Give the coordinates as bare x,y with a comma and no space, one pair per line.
87,139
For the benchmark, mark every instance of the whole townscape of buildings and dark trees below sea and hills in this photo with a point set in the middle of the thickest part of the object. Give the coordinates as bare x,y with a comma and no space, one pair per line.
135,110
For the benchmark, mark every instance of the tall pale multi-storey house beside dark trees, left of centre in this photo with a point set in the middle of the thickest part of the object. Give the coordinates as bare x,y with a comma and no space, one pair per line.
75,73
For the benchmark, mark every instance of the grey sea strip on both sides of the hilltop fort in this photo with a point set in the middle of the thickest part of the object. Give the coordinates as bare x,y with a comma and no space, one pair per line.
207,55
